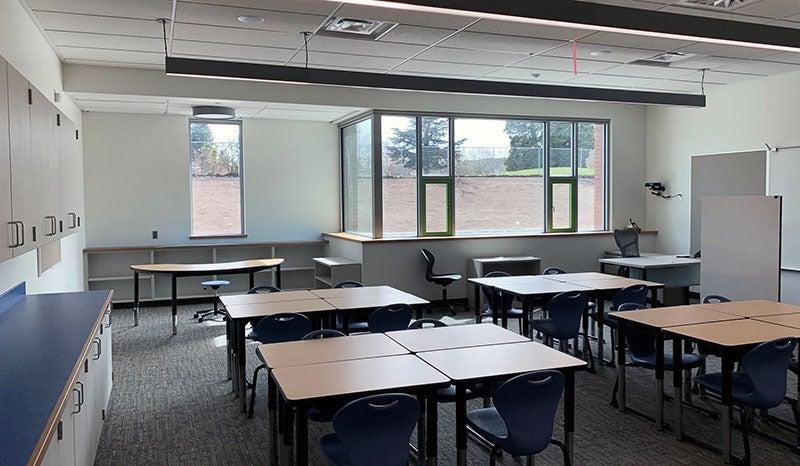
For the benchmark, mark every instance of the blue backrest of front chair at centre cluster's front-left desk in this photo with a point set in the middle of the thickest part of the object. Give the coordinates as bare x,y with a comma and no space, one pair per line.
377,429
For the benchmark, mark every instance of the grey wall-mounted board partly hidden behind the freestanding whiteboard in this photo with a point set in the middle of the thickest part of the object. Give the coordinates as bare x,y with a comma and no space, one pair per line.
731,173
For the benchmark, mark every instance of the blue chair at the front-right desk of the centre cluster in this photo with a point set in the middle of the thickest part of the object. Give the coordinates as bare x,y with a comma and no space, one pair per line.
521,421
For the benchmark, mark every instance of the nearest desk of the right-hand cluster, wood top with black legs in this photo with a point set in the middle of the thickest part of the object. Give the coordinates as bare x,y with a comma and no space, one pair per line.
730,340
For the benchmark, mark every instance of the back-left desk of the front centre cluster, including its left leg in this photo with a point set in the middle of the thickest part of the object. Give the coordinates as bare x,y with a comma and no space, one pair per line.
320,351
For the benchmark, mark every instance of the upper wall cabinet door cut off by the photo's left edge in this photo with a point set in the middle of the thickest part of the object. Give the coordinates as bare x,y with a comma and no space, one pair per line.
7,233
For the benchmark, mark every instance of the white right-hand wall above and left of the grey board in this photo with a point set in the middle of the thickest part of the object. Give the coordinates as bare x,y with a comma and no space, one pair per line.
737,118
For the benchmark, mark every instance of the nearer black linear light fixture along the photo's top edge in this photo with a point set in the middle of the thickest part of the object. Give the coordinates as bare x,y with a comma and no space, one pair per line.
608,18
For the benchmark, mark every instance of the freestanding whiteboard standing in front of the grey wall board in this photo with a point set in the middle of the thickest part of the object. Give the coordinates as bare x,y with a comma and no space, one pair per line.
741,242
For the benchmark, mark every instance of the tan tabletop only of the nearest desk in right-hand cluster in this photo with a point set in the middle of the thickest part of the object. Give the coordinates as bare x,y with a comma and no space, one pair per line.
735,332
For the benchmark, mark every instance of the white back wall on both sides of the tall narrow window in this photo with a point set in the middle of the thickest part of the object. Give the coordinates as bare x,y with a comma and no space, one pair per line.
137,179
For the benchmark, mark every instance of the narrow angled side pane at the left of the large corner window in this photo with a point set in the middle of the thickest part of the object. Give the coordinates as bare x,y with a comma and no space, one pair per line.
357,171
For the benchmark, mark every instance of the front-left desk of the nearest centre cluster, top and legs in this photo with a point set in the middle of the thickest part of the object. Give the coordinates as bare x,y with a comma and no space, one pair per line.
301,386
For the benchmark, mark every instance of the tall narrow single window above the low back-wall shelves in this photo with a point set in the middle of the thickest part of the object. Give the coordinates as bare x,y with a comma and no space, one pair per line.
216,191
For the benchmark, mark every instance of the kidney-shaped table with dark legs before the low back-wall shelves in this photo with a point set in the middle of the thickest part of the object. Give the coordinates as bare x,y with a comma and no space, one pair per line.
249,267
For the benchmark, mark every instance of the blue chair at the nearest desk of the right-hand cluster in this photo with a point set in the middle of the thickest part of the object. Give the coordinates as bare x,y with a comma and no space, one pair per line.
759,384
